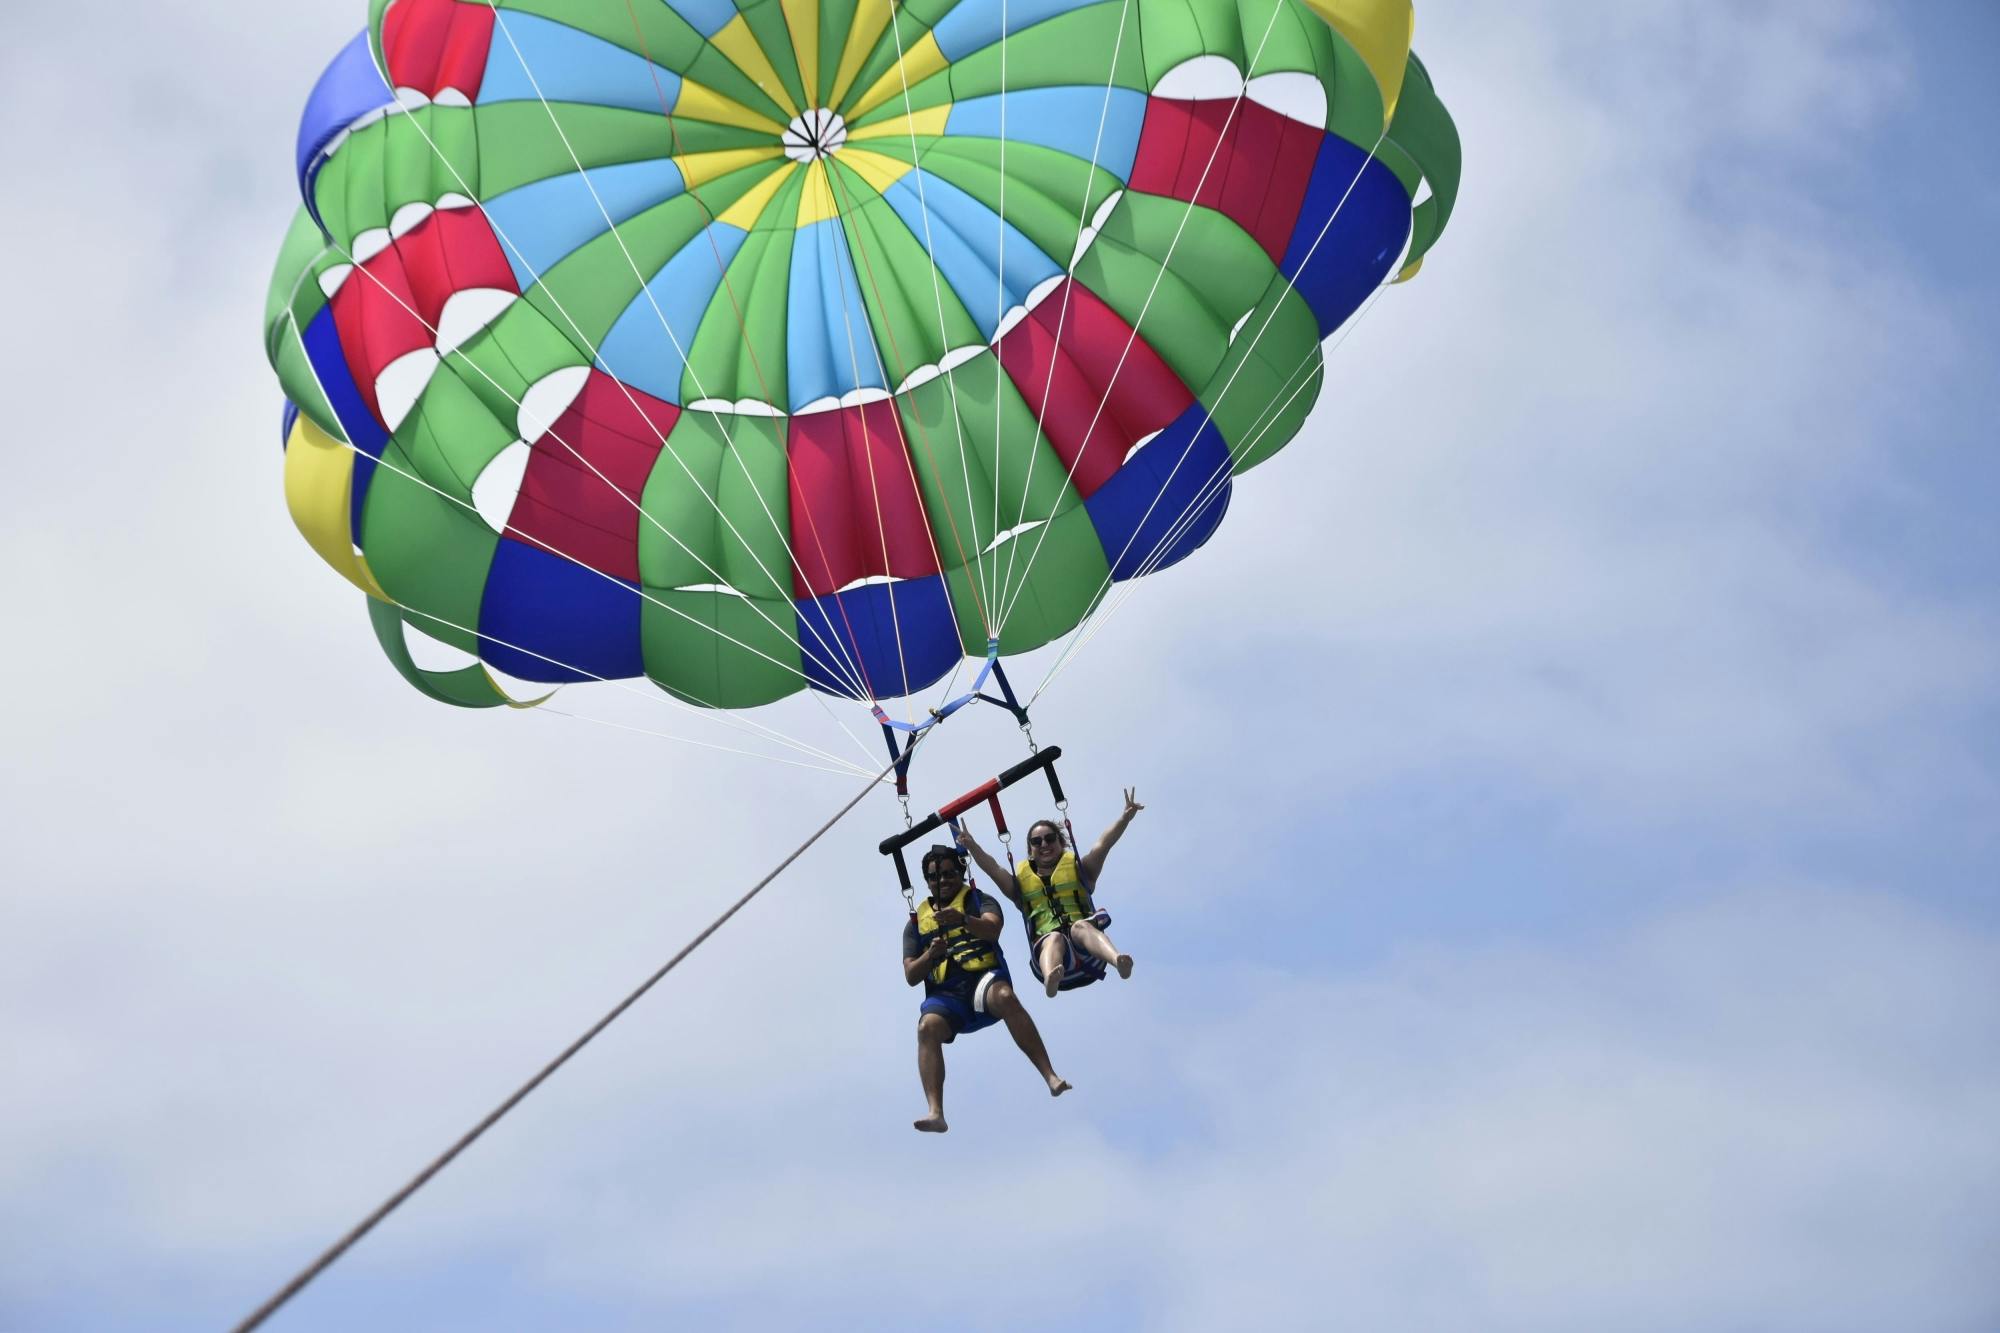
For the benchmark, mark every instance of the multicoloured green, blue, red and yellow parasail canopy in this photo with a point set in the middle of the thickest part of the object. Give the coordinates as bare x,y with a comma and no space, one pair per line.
819,343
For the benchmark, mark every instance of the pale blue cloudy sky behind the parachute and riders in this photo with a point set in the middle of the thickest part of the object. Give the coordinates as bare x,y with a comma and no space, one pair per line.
1567,896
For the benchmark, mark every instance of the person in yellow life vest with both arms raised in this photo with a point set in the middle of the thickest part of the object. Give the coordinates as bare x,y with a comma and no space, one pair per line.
1053,888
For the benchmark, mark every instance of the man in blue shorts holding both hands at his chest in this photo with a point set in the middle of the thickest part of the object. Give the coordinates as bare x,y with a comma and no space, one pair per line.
953,946
